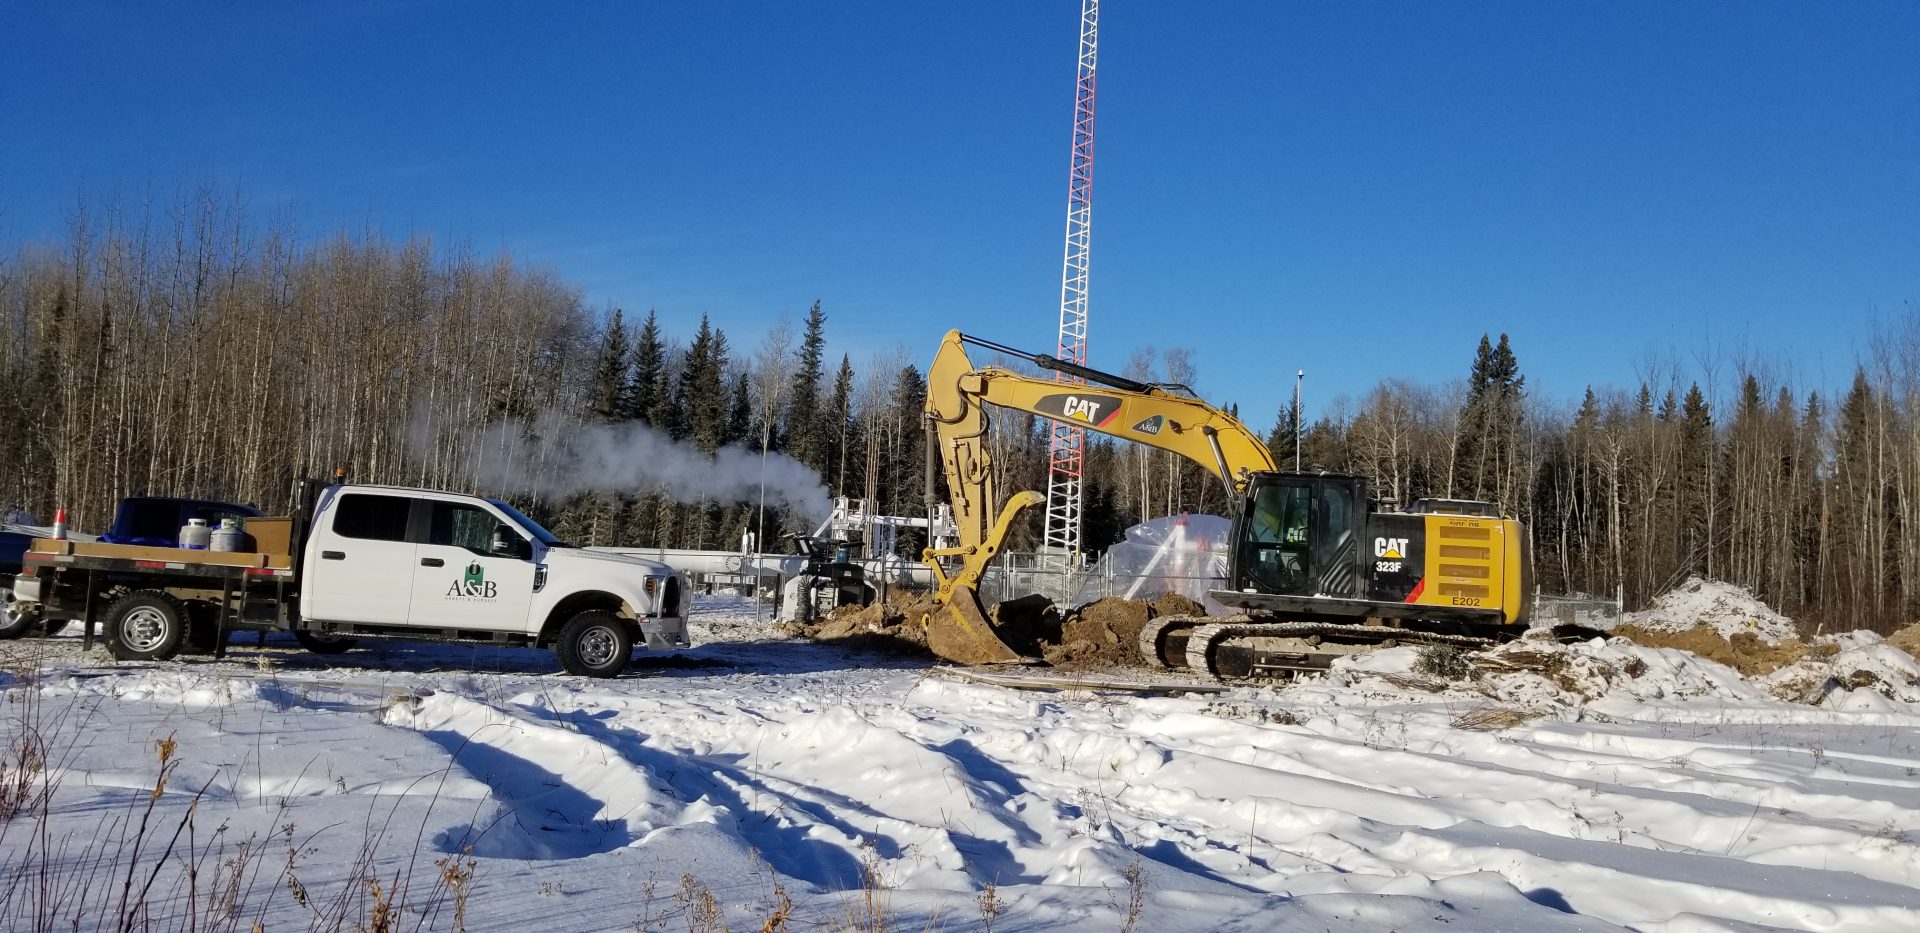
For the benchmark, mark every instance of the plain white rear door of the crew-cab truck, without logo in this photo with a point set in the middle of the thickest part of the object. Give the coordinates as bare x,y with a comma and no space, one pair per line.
360,562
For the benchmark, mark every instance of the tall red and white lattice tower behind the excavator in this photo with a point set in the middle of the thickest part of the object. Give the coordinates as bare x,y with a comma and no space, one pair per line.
1070,441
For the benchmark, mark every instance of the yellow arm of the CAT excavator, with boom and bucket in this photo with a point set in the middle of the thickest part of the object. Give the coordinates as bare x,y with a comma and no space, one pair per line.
957,396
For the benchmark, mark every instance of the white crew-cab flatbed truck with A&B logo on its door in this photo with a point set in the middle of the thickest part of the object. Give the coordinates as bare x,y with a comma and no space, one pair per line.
370,562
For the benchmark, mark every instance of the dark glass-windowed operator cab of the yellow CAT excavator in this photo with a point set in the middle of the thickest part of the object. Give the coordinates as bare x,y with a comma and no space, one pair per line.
1299,535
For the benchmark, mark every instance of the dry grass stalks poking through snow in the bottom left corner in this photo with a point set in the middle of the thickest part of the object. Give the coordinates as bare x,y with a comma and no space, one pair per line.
153,863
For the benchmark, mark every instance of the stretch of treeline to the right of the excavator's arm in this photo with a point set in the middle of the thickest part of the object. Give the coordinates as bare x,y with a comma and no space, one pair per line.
1812,504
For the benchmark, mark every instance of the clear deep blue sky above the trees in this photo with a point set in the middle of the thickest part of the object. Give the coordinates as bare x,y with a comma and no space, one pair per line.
1351,189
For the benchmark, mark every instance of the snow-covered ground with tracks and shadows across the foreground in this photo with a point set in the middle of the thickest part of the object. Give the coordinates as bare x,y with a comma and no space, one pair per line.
1616,788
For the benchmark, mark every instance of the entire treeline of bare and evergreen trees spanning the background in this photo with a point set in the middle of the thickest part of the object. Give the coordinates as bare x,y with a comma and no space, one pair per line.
203,354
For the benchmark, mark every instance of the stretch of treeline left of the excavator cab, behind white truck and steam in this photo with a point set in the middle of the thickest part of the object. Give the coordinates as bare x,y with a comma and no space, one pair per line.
199,352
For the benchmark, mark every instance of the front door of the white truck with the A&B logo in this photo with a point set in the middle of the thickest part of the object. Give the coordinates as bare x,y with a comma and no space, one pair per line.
462,583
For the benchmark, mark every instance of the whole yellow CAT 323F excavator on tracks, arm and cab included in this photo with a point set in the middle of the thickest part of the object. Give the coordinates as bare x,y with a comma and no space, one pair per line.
1316,569
